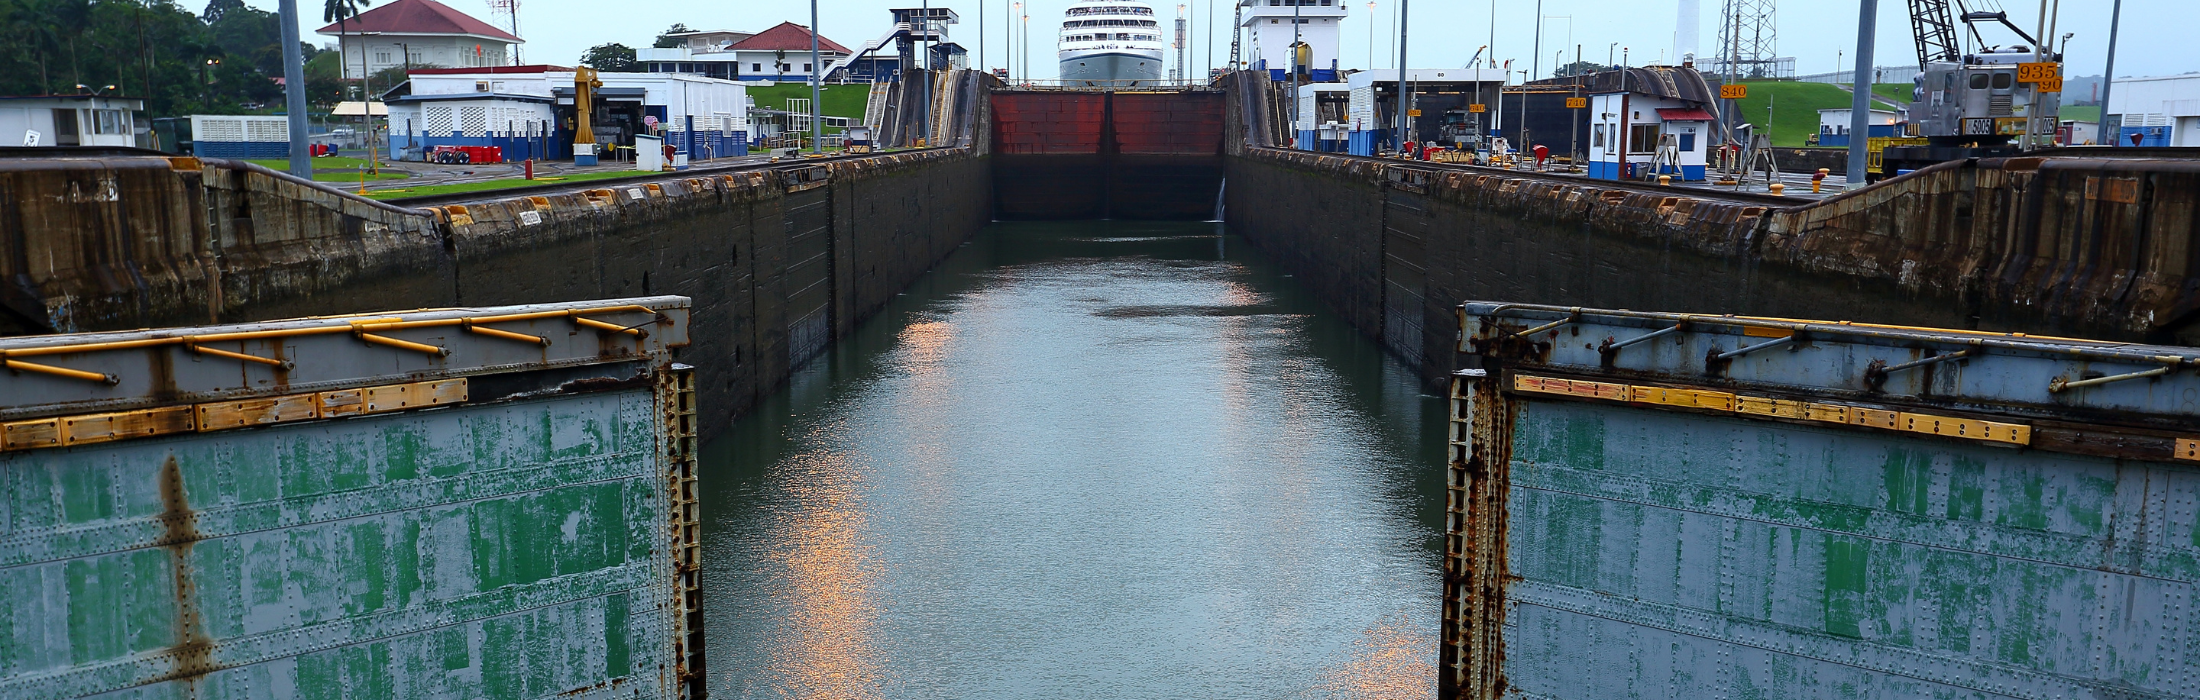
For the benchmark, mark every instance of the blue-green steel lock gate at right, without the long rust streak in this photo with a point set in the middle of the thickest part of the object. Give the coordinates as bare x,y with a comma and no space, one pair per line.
1651,505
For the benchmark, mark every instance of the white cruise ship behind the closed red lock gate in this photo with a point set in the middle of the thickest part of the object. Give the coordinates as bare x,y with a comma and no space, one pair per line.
1112,43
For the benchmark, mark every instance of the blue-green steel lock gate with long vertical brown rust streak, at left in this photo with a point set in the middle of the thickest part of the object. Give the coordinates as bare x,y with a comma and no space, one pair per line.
461,503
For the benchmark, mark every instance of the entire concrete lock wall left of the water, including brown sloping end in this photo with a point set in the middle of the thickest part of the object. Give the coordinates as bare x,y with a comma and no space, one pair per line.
780,259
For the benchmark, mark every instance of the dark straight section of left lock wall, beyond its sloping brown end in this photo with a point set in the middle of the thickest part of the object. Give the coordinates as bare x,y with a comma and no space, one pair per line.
778,261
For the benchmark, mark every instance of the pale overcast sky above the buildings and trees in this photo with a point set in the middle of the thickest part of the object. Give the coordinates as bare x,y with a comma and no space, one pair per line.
2157,34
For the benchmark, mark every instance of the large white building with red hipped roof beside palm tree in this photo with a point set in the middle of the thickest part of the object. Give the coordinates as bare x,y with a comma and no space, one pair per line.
421,34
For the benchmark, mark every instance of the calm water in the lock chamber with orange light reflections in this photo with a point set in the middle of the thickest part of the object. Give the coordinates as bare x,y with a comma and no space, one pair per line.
1083,461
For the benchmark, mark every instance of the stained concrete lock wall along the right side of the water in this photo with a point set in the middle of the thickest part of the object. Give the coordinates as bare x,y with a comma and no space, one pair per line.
2060,245
